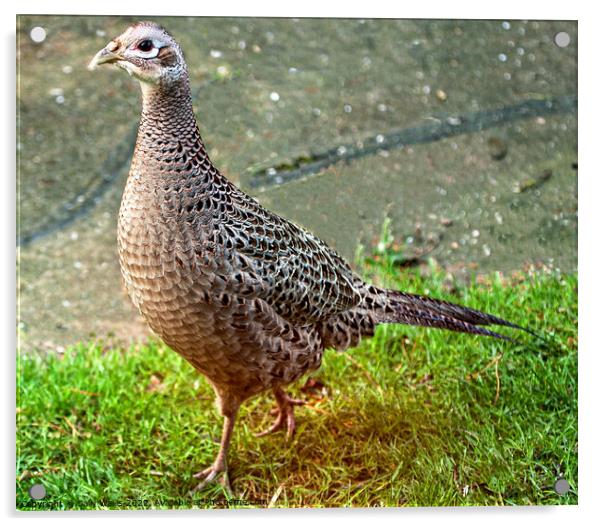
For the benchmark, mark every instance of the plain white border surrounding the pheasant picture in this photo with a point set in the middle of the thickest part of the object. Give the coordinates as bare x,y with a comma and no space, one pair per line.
590,153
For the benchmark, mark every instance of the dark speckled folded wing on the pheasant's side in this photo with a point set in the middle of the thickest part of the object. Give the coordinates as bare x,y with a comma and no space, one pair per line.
268,257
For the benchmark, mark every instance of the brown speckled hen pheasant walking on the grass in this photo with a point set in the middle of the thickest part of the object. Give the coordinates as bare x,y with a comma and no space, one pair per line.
248,298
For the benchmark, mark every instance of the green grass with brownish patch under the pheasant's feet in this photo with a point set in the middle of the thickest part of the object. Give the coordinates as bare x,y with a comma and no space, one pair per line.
413,417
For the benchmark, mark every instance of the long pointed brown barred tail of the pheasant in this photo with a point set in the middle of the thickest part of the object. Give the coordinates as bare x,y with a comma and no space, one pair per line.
391,306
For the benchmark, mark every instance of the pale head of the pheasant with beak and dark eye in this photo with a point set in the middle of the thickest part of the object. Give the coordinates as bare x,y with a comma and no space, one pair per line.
146,51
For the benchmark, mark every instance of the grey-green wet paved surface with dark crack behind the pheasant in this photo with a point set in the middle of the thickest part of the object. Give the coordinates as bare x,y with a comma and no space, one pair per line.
271,94
